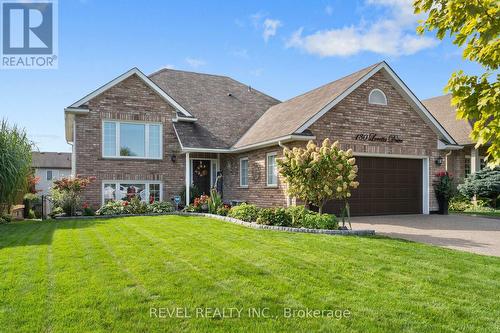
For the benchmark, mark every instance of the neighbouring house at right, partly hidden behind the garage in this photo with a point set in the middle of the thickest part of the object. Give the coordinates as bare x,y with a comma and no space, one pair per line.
464,159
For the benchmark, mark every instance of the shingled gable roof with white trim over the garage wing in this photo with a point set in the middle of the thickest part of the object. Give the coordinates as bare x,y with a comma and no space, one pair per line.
297,114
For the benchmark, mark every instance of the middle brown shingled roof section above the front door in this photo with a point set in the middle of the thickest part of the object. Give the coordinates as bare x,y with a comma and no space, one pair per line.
224,108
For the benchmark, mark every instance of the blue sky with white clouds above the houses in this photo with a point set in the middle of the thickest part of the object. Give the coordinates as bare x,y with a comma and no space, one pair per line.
282,48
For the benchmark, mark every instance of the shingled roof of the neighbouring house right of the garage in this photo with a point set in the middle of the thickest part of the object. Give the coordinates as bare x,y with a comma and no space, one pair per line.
446,114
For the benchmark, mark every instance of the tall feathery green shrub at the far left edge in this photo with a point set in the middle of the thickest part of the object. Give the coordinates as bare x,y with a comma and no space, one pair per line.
15,164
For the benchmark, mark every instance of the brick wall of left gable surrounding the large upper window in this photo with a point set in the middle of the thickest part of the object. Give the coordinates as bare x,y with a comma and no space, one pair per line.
131,99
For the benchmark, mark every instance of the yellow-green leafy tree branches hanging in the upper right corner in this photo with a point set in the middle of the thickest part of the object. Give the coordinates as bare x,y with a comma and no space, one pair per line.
474,24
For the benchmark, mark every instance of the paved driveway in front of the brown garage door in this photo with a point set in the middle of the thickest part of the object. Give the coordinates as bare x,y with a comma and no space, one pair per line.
466,233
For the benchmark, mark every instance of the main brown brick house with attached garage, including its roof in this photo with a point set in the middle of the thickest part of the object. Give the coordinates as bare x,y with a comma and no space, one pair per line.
149,136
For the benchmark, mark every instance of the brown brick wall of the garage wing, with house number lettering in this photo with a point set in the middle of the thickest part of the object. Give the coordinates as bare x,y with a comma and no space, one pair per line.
351,116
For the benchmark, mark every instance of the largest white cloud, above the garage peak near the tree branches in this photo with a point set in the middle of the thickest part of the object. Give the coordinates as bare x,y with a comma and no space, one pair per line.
394,35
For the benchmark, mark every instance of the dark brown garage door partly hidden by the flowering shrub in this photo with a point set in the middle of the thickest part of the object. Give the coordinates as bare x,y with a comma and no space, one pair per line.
387,186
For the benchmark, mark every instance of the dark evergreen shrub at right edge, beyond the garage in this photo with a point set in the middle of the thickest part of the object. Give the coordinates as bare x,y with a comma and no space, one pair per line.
484,183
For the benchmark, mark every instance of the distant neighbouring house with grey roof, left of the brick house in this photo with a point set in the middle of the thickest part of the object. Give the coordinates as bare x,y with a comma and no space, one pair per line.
49,167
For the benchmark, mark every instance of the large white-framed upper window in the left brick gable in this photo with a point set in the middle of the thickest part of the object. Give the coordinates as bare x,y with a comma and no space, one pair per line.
132,139
